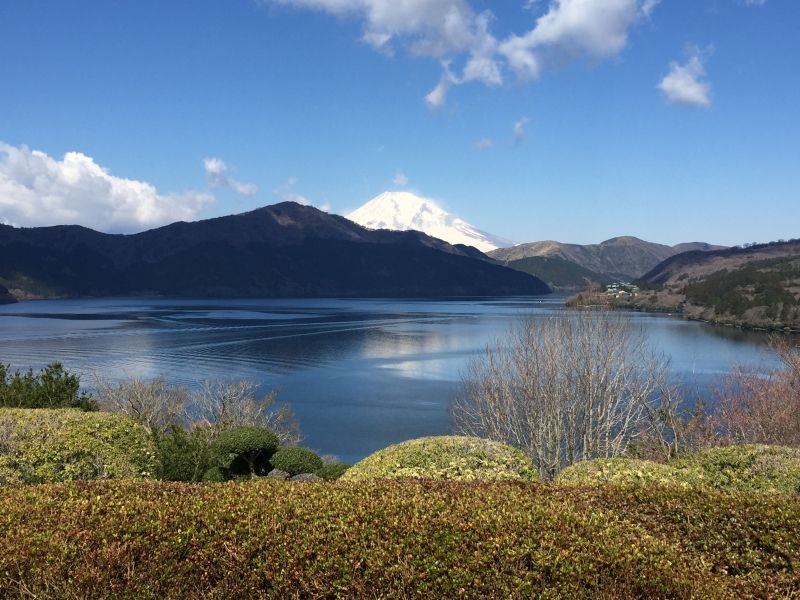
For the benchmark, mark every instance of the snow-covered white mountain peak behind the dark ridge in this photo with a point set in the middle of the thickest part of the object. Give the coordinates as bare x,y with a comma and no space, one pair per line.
403,210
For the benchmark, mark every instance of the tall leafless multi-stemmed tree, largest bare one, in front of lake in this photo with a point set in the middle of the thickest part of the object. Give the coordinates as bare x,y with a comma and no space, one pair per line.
564,389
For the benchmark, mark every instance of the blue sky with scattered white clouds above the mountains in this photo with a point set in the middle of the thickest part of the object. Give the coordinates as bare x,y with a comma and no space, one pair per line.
572,120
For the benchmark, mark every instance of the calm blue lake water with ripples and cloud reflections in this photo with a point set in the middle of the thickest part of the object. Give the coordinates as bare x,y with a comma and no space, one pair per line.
359,374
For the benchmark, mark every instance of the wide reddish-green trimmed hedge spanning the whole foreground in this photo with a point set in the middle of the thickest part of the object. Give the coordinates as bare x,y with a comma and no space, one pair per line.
393,539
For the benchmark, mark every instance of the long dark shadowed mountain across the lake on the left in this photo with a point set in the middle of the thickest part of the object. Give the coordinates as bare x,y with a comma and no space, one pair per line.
281,250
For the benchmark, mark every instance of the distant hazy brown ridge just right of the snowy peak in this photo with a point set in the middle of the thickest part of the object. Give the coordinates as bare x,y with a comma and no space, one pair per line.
618,258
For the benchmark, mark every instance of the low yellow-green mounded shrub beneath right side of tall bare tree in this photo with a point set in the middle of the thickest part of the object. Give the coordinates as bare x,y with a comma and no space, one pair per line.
626,471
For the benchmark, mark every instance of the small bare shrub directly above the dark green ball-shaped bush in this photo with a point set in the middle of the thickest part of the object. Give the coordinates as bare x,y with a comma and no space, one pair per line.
223,404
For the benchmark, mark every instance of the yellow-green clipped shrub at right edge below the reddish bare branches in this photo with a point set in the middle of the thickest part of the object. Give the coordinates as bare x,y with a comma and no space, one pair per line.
746,468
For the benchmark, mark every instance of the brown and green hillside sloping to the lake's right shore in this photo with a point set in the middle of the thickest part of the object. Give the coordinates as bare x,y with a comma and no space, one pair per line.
757,286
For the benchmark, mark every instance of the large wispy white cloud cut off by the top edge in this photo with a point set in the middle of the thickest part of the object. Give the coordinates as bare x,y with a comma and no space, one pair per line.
455,33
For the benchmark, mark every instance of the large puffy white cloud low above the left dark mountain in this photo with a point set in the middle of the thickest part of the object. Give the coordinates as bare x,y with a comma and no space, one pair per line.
36,190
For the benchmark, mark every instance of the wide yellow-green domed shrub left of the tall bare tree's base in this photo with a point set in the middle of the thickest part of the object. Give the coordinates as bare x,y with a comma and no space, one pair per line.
445,457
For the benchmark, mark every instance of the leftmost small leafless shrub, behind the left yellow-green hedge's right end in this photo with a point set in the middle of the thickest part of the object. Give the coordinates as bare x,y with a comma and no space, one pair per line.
154,403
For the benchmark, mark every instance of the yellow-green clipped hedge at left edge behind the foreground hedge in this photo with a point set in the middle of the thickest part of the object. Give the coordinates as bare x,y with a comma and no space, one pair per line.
50,445
